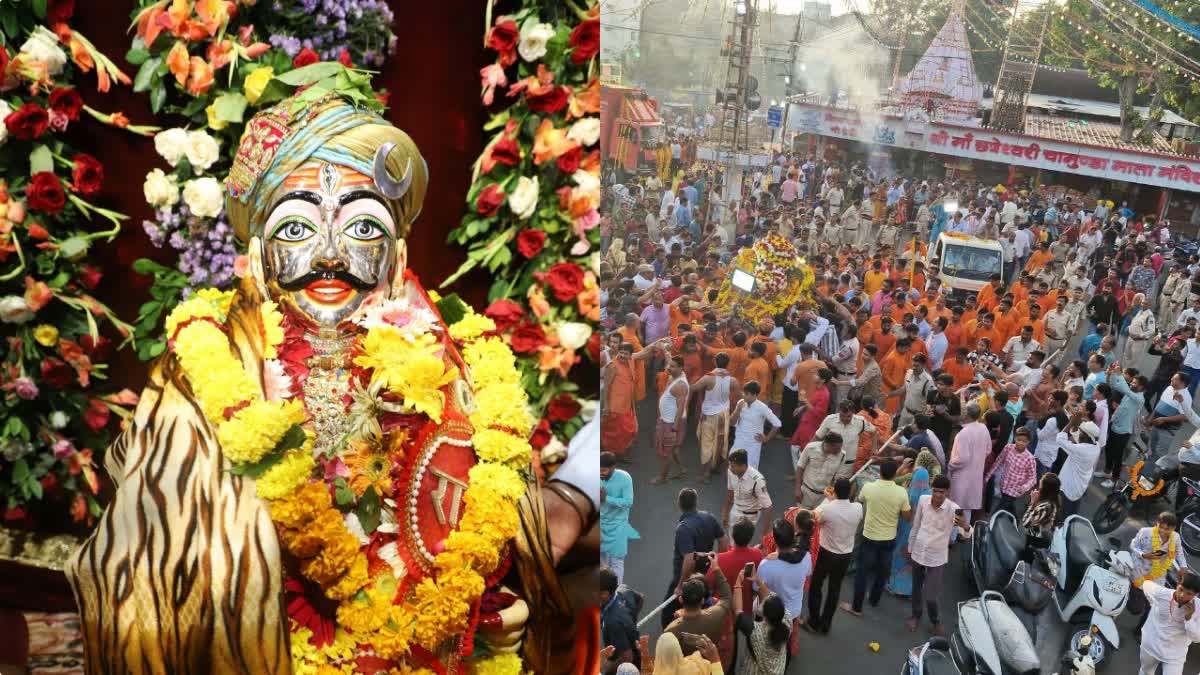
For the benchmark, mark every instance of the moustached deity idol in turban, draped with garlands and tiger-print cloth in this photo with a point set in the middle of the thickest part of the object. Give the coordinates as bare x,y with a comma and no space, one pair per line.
322,476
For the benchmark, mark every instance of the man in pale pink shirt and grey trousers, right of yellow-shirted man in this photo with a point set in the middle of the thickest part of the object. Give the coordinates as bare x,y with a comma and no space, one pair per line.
929,542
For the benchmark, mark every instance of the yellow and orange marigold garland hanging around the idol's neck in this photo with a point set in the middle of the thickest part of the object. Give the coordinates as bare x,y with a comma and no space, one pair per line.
310,525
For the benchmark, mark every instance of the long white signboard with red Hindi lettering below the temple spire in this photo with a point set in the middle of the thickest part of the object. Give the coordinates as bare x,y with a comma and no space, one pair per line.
1145,169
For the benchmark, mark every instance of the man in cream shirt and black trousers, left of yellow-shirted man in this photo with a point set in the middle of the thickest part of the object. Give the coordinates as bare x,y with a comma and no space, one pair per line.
839,519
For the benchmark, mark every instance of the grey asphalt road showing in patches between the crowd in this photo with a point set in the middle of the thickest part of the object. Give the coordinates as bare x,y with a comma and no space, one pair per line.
845,650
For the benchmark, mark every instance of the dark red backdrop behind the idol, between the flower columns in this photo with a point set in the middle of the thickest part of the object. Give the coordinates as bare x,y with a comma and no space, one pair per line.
434,80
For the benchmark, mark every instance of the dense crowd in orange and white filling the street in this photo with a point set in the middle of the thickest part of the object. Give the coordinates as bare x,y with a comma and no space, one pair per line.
910,410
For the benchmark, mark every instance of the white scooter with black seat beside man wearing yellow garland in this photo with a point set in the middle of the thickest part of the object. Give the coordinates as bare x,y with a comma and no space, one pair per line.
1088,580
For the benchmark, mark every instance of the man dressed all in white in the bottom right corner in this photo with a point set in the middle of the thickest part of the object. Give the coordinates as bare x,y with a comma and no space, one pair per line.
1172,626
